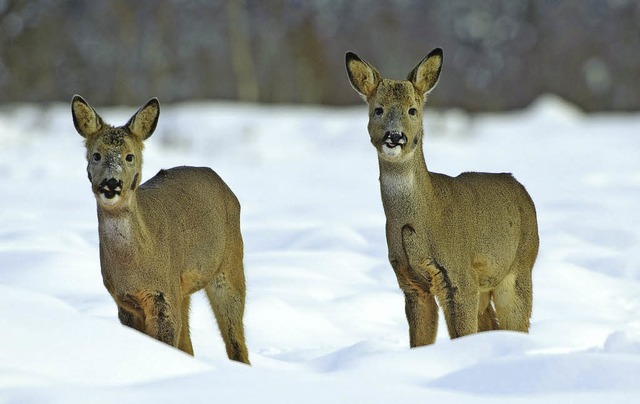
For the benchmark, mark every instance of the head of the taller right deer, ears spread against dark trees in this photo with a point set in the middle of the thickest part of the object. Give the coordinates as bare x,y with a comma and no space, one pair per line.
395,106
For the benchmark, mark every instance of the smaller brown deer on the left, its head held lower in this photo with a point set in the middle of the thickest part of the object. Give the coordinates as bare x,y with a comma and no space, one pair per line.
162,240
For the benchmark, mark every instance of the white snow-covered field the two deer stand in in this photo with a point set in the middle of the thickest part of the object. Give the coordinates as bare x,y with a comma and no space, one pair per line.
325,318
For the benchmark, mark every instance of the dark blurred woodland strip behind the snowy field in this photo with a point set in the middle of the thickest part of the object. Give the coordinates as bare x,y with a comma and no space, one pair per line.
499,54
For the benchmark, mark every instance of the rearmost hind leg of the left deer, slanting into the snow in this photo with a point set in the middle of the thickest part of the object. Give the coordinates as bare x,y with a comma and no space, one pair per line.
226,294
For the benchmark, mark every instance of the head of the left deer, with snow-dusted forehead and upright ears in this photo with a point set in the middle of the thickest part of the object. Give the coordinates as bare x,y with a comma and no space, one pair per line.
114,154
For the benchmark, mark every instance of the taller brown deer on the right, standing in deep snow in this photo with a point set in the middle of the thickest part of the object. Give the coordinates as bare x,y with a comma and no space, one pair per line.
466,244
